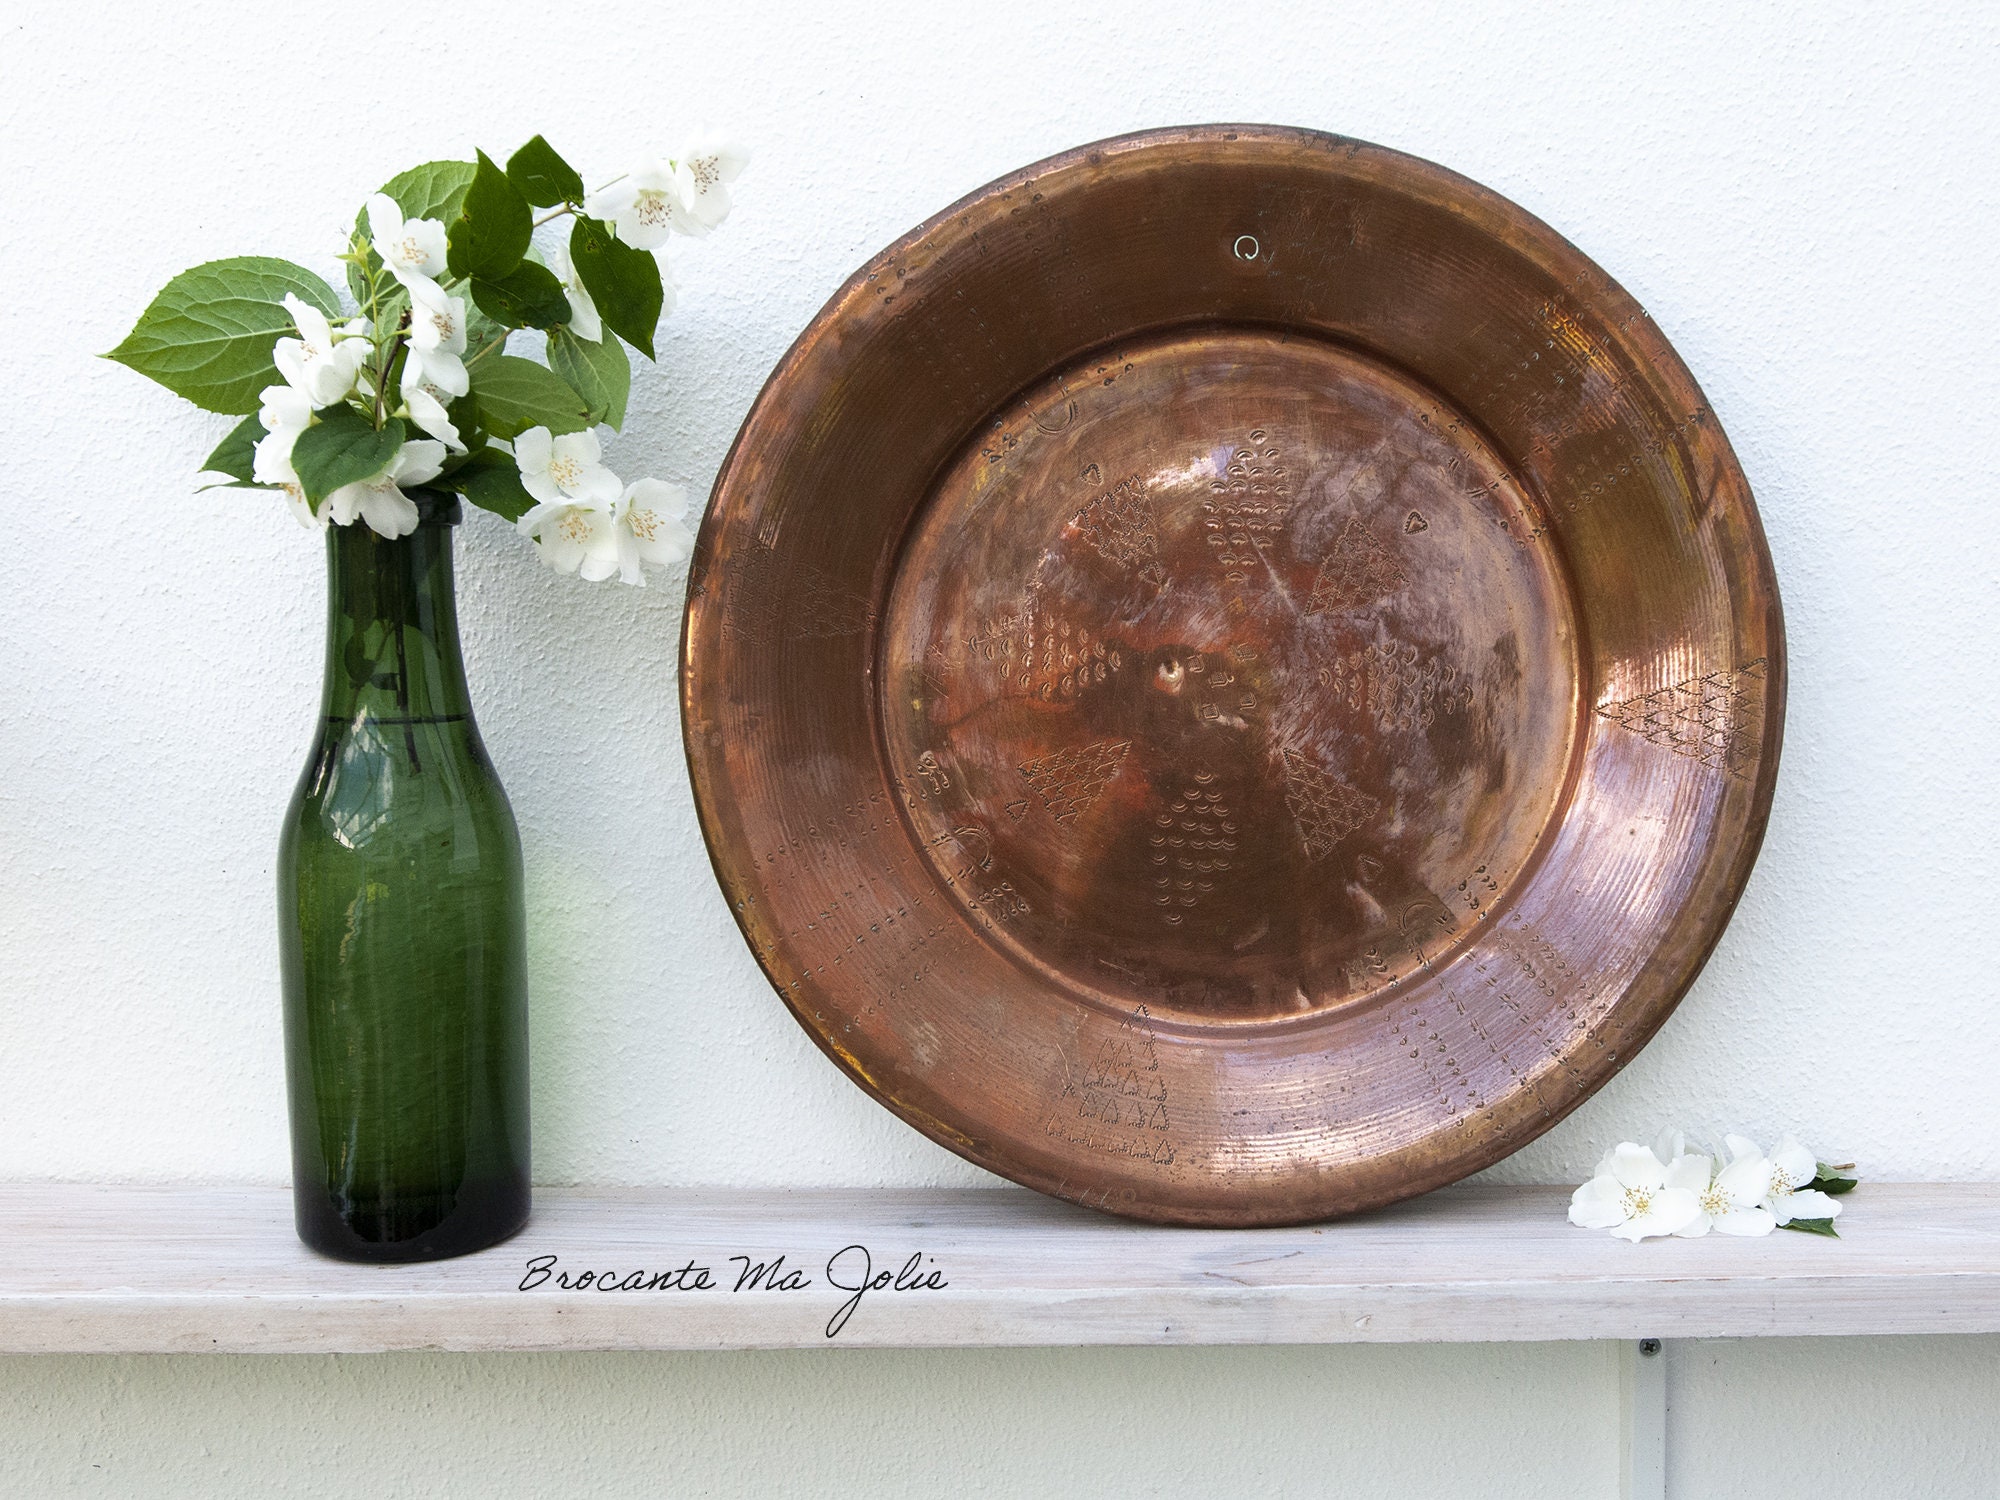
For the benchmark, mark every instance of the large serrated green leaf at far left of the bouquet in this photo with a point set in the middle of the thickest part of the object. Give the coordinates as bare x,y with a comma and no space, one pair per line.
209,333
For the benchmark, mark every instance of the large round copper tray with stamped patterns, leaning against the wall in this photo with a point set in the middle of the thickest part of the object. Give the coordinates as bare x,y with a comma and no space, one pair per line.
1233,677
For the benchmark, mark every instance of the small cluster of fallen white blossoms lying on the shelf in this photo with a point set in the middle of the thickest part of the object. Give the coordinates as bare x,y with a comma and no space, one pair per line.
1667,1191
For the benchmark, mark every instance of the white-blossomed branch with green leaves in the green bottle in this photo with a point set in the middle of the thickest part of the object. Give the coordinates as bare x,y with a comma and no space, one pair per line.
443,269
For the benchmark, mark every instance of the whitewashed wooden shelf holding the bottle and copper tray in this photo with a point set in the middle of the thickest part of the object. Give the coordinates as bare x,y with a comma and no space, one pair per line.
113,1269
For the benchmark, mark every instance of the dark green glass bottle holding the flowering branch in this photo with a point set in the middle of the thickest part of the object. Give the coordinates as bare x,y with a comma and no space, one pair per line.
403,929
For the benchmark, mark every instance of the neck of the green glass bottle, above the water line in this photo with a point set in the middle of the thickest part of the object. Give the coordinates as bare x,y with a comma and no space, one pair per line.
393,621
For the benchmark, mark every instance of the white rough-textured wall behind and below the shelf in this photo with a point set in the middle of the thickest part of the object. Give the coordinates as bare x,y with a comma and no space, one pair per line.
1805,199
